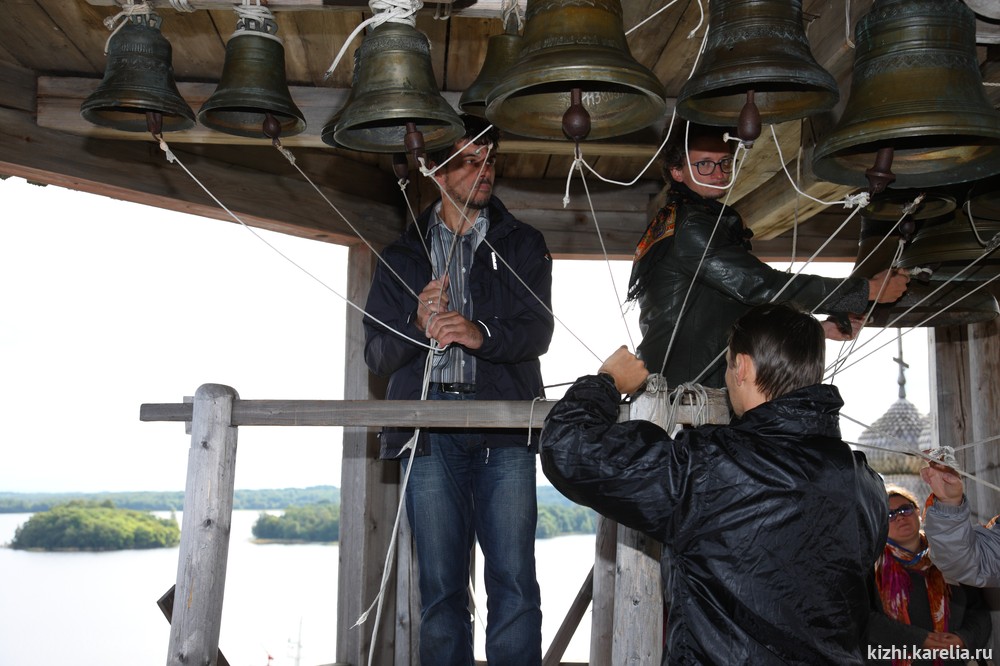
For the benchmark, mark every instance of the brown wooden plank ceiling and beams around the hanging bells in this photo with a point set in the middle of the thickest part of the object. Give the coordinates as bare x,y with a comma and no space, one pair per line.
51,57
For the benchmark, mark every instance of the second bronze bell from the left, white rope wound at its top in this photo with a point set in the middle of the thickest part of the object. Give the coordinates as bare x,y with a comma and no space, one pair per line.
253,91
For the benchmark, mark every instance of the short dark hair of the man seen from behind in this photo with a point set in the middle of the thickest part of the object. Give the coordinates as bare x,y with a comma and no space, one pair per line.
787,345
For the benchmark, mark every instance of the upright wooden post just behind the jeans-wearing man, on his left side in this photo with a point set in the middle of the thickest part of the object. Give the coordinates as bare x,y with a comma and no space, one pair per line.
370,488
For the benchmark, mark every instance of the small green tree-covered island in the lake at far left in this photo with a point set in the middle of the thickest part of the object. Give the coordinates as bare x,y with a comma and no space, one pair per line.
86,525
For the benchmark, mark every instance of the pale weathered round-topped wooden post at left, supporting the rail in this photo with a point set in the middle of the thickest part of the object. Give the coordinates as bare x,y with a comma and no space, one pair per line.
207,518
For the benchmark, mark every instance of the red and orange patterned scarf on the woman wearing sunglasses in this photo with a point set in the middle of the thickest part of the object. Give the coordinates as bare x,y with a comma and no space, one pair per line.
892,574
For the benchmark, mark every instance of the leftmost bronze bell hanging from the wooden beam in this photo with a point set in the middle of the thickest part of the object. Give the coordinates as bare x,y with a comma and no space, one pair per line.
138,93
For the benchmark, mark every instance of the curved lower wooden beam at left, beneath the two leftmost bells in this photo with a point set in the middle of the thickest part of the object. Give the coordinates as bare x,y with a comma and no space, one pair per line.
139,172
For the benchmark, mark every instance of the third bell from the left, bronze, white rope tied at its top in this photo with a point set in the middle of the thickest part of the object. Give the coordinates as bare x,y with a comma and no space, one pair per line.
393,86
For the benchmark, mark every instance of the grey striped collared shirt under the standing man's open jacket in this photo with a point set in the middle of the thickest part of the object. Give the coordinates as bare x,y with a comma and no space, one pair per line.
454,365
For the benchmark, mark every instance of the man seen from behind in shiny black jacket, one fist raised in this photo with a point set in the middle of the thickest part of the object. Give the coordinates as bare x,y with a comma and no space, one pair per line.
771,524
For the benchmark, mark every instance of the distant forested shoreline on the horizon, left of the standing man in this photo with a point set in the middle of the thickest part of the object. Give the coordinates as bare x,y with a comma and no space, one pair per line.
270,499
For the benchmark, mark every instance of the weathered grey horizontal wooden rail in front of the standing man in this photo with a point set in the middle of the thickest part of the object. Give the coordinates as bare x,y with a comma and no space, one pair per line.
402,413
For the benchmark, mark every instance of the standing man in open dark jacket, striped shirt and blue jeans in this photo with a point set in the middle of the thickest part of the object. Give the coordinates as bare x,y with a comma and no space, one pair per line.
473,283
